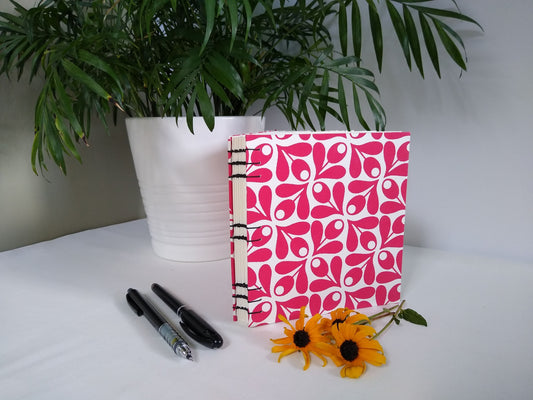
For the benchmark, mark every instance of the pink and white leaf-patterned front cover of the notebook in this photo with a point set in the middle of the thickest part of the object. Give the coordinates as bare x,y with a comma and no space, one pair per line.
331,210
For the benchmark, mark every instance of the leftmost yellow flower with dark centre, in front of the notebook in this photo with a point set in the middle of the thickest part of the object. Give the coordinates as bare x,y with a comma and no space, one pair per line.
306,338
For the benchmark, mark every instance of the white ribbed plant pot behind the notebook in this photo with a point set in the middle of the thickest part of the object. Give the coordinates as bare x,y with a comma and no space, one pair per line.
183,180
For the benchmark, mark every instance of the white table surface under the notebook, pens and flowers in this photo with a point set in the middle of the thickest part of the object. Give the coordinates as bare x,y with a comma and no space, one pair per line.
66,331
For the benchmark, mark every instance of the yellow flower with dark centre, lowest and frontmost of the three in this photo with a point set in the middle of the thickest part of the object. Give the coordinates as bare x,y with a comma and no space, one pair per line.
354,348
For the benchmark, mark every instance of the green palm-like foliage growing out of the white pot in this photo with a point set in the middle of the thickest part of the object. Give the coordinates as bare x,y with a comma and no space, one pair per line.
209,58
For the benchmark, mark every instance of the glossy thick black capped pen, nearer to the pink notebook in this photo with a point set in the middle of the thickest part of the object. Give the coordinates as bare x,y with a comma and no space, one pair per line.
194,325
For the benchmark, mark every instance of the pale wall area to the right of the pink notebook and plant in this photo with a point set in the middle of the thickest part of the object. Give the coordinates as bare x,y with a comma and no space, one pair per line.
471,170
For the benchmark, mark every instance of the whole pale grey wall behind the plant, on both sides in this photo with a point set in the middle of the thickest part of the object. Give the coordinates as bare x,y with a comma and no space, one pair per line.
471,173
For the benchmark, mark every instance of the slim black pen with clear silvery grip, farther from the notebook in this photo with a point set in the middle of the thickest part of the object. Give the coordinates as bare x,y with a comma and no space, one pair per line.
174,340
